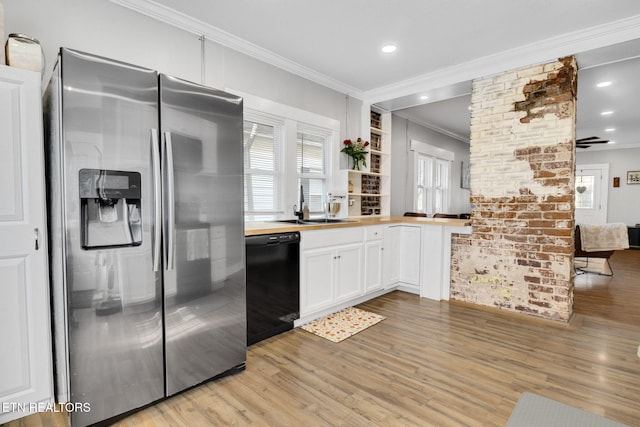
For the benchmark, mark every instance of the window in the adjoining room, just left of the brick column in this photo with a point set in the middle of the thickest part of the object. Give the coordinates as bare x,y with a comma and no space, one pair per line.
432,177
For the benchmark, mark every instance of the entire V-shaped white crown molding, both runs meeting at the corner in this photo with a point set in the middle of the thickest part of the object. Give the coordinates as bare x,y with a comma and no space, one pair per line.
541,51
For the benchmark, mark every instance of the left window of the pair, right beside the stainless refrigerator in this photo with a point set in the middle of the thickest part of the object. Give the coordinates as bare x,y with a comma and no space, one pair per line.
262,169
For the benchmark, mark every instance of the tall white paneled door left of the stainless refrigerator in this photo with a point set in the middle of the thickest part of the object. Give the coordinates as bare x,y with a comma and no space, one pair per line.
25,358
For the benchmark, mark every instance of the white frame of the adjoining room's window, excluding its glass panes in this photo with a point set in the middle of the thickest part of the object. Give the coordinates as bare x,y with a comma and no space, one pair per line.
438,158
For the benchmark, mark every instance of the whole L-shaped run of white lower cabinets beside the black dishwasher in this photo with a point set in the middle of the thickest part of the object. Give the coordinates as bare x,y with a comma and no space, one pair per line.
349,265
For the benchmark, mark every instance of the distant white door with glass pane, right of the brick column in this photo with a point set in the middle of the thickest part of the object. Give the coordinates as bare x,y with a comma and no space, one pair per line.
591,193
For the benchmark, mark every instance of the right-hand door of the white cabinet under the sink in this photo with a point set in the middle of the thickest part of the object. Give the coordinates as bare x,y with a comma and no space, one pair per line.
349,272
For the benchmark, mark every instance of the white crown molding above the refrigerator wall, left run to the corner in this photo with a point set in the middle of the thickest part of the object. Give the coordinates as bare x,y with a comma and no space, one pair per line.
209,32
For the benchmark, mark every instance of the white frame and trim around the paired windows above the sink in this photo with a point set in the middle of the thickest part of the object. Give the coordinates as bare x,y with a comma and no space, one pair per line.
293,118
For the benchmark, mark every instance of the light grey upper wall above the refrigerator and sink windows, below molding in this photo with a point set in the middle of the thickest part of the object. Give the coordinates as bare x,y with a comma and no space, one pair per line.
104,28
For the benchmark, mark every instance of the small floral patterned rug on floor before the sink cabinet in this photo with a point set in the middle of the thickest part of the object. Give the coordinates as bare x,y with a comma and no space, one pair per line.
343,324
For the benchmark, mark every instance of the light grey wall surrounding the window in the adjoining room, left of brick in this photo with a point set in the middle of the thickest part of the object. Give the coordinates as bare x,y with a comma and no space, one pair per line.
403,131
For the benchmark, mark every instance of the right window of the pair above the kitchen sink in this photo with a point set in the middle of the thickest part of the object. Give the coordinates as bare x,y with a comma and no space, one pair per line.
310,166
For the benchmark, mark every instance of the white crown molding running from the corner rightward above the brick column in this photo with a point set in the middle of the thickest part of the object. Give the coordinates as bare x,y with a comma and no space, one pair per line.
541,51
